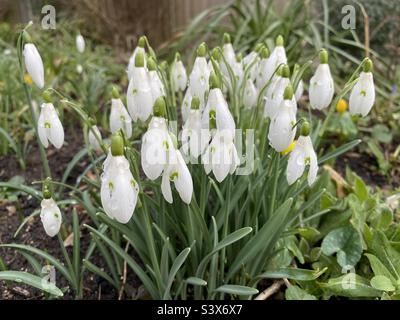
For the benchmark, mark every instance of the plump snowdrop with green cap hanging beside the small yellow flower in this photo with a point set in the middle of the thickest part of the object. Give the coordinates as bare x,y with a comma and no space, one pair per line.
281,130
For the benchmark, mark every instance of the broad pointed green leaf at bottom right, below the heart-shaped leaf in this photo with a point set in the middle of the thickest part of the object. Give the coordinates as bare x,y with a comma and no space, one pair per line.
351,285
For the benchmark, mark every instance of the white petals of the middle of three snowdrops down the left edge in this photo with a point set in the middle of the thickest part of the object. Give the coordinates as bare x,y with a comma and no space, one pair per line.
49,126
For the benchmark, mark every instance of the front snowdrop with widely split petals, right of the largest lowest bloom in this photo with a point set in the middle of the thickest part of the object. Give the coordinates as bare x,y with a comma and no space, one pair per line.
177,172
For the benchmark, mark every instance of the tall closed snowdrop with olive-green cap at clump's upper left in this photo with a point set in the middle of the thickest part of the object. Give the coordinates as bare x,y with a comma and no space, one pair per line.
139,95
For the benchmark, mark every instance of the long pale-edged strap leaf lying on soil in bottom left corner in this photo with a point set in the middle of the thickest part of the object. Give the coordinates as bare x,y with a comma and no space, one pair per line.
32,280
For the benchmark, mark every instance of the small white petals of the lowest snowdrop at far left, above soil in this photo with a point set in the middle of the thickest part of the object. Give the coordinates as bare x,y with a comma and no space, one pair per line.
50,215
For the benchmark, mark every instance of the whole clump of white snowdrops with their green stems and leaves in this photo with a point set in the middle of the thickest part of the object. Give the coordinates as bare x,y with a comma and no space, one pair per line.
227,164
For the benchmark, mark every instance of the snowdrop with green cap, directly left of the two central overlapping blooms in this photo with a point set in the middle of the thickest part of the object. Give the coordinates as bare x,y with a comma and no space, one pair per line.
194,138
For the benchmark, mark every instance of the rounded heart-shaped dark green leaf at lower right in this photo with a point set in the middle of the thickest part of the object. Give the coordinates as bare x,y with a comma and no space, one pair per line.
346,243
